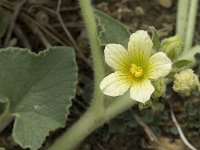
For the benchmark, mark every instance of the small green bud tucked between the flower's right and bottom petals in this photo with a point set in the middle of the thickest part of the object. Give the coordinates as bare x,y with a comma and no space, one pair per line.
160,87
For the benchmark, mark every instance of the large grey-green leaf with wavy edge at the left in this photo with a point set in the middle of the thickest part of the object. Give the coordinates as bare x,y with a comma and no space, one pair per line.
39,88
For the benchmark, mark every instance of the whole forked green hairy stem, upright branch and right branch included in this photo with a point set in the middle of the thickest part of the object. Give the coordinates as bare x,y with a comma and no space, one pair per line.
97,114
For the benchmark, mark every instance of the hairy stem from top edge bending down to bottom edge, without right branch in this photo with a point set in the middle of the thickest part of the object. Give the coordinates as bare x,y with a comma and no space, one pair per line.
93,118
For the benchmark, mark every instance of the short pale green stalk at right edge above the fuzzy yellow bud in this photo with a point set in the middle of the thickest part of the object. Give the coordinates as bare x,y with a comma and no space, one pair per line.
189,55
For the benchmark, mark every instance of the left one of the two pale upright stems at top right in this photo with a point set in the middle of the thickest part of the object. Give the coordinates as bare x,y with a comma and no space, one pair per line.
182,14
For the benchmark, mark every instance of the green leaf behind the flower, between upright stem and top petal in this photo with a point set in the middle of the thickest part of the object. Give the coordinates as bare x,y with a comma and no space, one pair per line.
111,30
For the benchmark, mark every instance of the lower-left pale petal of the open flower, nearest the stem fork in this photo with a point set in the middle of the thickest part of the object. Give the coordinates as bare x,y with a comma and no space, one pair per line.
115,84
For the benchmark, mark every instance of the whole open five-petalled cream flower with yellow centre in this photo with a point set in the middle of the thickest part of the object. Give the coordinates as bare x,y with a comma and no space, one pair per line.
134,68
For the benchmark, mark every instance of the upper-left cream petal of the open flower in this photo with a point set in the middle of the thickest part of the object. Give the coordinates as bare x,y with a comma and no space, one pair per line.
116,56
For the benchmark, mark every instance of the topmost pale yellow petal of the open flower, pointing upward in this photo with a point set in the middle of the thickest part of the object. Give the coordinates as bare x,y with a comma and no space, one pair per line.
140,45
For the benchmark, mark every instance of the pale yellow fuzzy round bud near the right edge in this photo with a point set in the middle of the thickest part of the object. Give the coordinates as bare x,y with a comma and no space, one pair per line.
185,81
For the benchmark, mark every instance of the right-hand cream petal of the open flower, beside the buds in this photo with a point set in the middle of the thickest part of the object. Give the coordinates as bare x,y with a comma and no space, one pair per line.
159,65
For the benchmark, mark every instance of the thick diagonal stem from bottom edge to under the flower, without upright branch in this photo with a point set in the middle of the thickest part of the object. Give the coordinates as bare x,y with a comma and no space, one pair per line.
89,122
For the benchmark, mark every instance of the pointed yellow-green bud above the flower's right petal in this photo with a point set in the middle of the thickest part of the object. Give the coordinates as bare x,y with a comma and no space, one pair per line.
172,46
